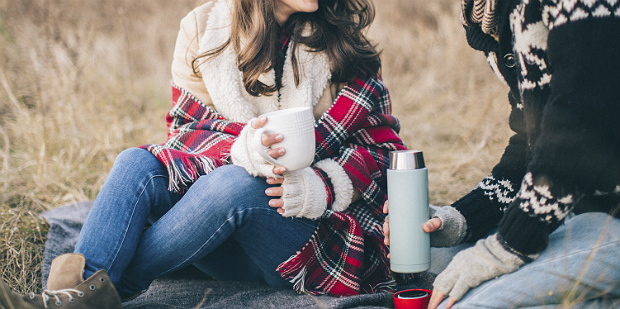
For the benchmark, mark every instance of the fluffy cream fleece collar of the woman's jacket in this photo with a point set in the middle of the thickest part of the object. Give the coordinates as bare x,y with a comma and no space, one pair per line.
224,80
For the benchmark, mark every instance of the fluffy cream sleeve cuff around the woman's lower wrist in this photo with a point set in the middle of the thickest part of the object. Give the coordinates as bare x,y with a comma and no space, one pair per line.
341,183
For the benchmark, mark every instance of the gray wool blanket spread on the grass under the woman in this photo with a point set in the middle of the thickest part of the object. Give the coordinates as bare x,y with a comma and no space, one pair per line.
189,288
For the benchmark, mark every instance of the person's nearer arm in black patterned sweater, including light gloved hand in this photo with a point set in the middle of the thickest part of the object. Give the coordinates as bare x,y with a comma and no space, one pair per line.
576,153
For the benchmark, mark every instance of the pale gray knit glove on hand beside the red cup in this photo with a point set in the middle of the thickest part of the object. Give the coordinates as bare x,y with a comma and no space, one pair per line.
471,267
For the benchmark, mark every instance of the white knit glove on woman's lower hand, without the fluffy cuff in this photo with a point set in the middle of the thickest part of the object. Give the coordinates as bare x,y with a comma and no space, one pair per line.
304,194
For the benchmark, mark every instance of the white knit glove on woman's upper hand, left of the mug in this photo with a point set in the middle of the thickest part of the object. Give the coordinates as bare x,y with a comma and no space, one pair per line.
242,153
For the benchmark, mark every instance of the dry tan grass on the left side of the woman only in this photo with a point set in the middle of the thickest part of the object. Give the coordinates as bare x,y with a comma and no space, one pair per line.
79,82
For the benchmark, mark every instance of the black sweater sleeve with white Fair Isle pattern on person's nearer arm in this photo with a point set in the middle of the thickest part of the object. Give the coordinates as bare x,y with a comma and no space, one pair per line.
577,150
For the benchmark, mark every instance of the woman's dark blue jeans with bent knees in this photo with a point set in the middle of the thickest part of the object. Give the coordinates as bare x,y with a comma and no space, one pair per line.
222,224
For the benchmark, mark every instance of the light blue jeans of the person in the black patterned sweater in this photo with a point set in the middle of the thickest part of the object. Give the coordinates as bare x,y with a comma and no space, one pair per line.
580,268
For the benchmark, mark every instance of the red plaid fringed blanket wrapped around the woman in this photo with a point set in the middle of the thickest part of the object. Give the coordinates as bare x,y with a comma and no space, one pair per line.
346,254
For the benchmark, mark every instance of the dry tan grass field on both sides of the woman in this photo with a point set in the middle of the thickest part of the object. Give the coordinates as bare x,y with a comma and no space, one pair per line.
82,80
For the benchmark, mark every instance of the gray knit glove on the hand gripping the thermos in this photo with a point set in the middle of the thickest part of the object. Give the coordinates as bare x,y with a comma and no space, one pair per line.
453,226
